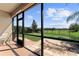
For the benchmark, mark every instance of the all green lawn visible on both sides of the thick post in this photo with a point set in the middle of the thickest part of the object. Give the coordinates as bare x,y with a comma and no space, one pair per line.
55,33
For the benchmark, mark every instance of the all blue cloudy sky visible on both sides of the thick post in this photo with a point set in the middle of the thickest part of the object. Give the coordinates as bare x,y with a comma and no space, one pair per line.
55,15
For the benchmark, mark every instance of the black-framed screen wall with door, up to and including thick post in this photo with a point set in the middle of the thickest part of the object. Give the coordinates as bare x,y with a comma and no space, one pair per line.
29,29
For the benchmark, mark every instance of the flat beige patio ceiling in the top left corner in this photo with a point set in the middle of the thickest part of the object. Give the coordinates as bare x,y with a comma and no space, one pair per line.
8,7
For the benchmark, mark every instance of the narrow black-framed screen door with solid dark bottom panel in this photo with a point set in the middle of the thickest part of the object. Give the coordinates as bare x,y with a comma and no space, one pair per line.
20,39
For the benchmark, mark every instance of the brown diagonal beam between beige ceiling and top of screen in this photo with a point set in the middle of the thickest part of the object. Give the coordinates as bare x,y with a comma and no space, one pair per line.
22,7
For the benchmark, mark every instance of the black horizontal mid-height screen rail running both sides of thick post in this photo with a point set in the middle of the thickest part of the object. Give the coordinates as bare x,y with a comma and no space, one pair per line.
54,38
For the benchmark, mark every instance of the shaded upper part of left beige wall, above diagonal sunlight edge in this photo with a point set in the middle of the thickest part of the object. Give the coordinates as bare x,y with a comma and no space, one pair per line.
5,20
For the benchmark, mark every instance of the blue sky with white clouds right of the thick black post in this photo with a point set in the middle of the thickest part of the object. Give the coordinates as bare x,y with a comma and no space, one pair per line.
56,14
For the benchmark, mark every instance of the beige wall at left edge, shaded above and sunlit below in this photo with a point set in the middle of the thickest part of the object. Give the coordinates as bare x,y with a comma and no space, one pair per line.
5,27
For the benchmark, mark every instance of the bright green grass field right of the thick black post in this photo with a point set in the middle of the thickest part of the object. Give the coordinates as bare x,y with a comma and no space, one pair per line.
62,33
